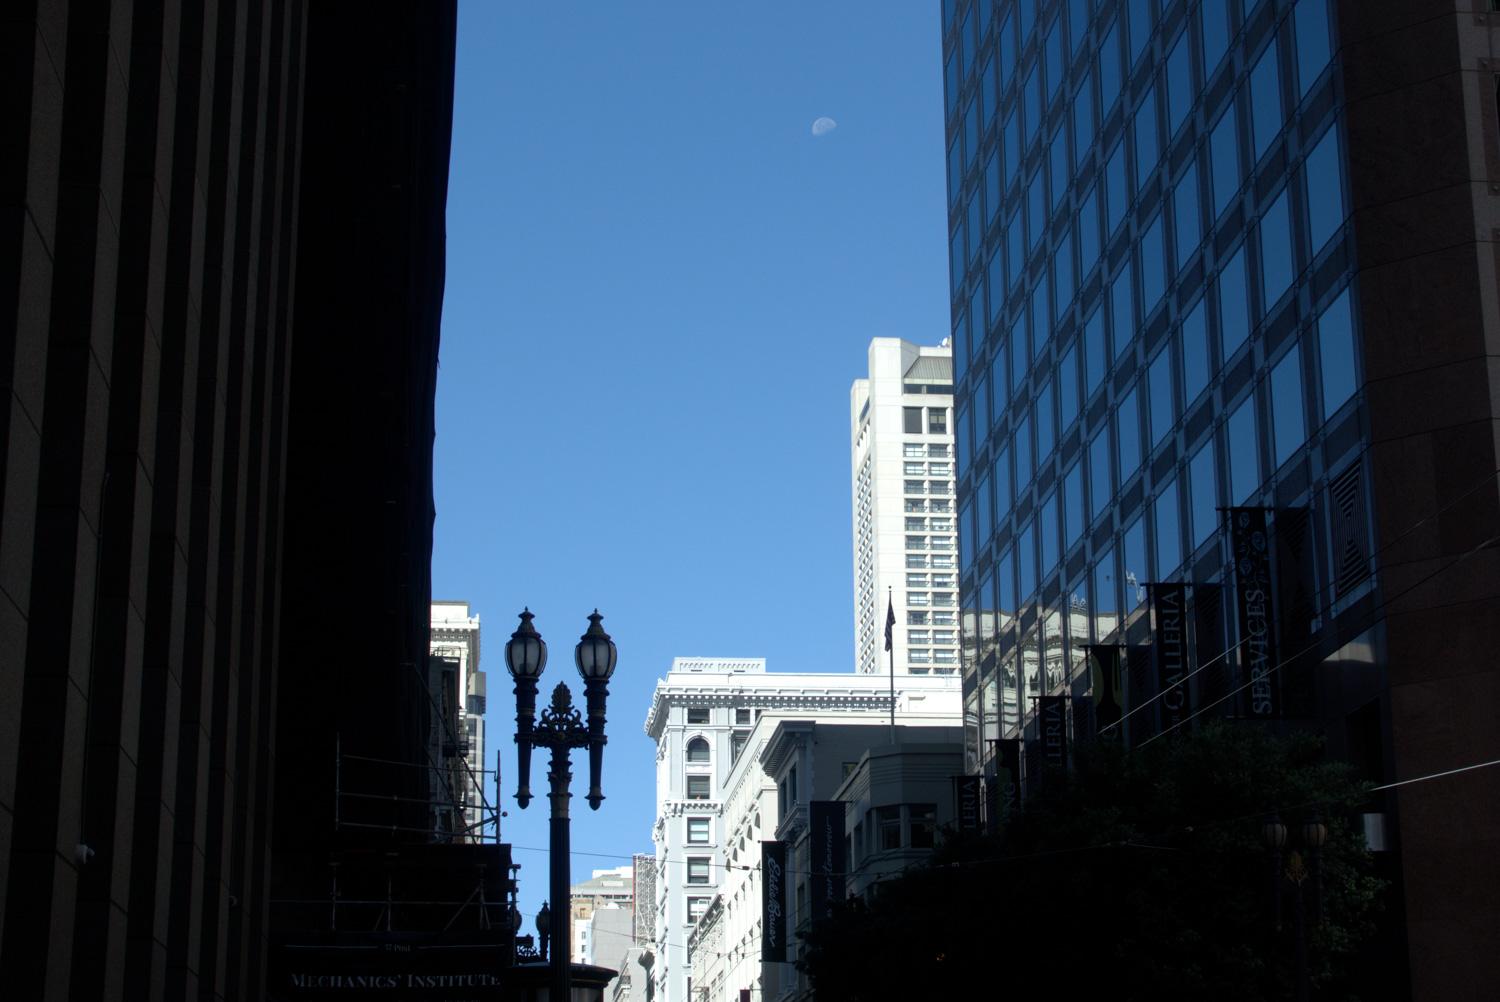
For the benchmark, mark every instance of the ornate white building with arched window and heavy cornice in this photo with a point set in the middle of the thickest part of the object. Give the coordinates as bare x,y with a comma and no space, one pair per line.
710,719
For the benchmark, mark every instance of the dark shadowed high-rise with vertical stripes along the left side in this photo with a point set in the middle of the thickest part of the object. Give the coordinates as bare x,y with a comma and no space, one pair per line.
221,280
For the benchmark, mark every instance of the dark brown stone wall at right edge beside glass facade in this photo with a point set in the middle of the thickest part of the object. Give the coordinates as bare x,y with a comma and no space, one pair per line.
1424,151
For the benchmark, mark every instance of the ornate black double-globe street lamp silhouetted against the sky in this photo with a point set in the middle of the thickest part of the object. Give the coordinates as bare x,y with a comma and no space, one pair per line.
562,730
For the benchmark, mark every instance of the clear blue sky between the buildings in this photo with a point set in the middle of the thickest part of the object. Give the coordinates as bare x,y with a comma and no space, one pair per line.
659,289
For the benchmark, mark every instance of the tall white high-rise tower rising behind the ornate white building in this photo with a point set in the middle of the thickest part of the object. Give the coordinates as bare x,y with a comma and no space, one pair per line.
901,452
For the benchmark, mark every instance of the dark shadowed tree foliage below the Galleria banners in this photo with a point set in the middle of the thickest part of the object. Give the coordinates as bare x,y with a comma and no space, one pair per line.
1138,875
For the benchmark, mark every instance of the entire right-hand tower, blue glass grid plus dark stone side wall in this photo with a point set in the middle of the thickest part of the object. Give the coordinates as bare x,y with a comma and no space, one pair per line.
1177,290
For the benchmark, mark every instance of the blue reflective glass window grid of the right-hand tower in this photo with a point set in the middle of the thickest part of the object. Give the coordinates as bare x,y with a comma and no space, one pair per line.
1153,320
